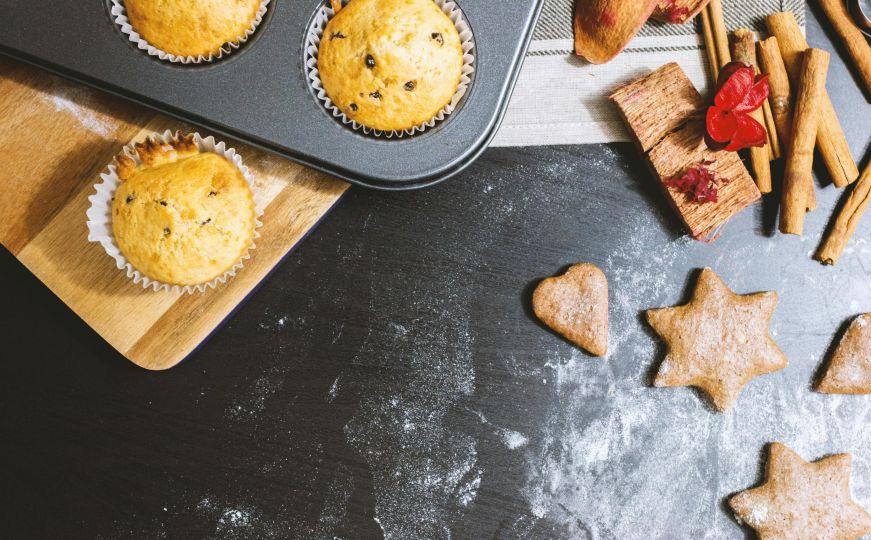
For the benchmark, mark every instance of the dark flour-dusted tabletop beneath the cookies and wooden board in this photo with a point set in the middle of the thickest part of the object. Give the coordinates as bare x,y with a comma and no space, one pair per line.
389,377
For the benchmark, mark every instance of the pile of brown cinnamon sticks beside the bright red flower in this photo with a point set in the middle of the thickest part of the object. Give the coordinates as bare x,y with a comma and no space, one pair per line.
799,118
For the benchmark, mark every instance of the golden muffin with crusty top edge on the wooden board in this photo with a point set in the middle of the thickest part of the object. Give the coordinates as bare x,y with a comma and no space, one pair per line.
181,216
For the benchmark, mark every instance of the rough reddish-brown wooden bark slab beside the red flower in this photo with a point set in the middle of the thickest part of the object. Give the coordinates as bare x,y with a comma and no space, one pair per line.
663,111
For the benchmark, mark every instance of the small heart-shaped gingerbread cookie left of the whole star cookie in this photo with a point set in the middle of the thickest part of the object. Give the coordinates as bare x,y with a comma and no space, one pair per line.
575,305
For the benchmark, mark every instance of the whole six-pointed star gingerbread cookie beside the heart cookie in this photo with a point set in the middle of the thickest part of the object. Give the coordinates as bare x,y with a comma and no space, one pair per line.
717,342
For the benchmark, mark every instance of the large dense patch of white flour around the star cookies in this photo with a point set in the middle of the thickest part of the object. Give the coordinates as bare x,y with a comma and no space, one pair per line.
617,458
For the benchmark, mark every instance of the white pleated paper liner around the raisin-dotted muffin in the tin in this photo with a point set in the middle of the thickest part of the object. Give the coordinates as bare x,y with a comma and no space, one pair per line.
313,41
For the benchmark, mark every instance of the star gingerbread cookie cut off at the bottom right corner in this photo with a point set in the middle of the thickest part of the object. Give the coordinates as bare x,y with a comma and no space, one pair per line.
803,500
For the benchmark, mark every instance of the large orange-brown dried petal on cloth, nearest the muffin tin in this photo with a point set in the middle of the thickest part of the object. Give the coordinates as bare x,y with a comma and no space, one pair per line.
604,27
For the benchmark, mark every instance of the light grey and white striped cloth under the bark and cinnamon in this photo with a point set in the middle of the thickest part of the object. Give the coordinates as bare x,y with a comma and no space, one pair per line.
560,99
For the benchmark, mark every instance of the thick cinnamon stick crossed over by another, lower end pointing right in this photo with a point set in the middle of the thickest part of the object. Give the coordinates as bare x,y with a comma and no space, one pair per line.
831,142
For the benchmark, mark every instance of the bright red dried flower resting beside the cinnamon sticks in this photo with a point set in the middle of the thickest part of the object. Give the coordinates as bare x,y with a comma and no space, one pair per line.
728,122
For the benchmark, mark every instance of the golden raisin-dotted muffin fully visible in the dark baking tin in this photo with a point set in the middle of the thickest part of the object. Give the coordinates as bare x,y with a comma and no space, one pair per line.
390,65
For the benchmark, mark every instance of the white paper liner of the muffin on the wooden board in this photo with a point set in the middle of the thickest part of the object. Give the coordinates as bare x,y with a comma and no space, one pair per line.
100,214
